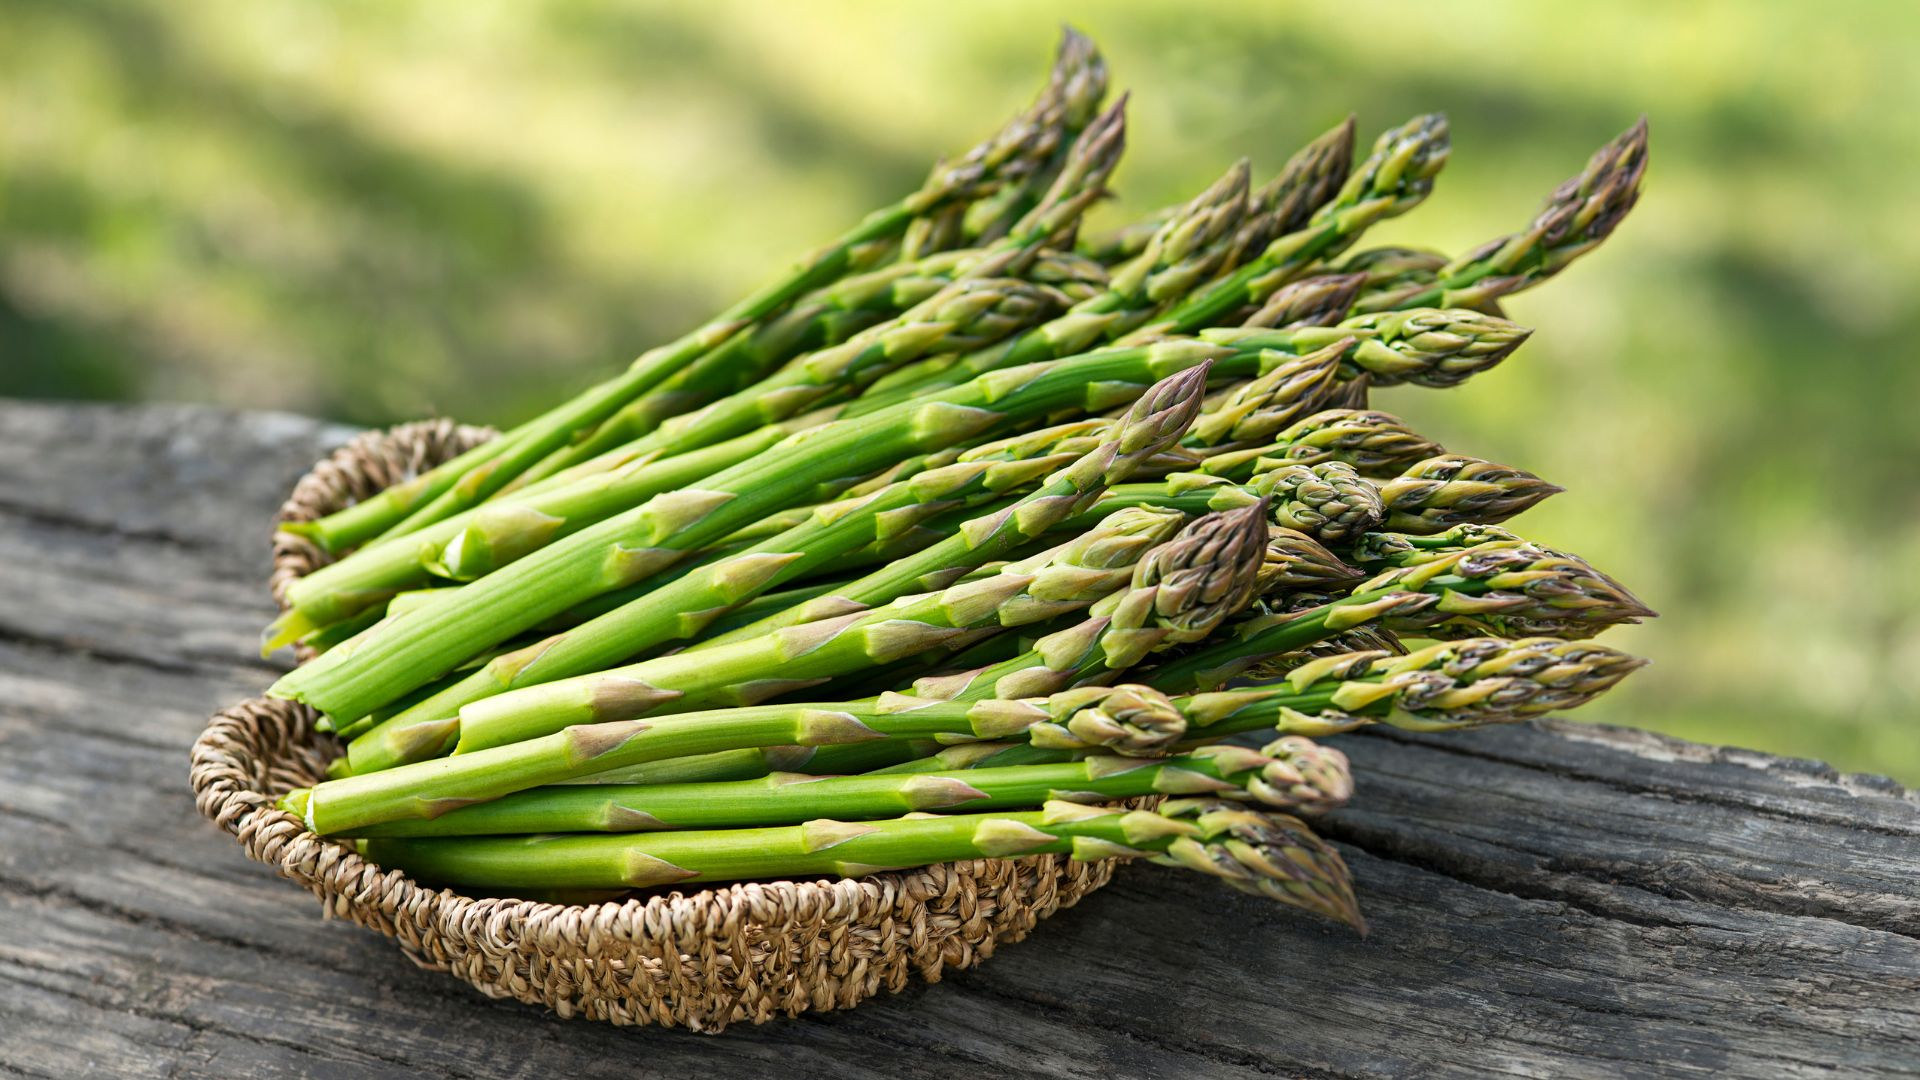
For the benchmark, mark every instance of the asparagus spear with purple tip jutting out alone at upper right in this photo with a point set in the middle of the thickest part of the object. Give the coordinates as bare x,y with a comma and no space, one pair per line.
1575,220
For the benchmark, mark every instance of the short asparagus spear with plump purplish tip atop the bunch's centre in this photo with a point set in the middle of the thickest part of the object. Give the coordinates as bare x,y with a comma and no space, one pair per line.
1180,593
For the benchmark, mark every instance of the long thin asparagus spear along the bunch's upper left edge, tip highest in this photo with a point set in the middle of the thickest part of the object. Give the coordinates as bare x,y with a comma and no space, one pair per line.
1015,153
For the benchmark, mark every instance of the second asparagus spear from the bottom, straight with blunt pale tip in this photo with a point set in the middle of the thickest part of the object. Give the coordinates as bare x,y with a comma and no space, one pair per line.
1293,775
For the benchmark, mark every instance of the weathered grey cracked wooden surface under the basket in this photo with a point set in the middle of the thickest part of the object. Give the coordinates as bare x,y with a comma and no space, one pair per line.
1547,902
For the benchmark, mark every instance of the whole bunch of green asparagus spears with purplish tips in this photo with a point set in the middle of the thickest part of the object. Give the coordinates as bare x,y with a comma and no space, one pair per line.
965,529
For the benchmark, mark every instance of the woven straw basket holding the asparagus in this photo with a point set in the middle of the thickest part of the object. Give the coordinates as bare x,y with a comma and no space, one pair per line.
702,960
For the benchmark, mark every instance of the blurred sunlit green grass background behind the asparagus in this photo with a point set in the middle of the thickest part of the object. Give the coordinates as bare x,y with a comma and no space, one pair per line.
377,210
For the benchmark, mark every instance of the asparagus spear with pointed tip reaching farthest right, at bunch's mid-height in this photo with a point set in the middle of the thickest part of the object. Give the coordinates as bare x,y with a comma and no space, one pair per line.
1531,591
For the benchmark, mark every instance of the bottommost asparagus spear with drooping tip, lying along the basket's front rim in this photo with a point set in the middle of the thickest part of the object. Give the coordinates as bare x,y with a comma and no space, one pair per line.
1264,854
